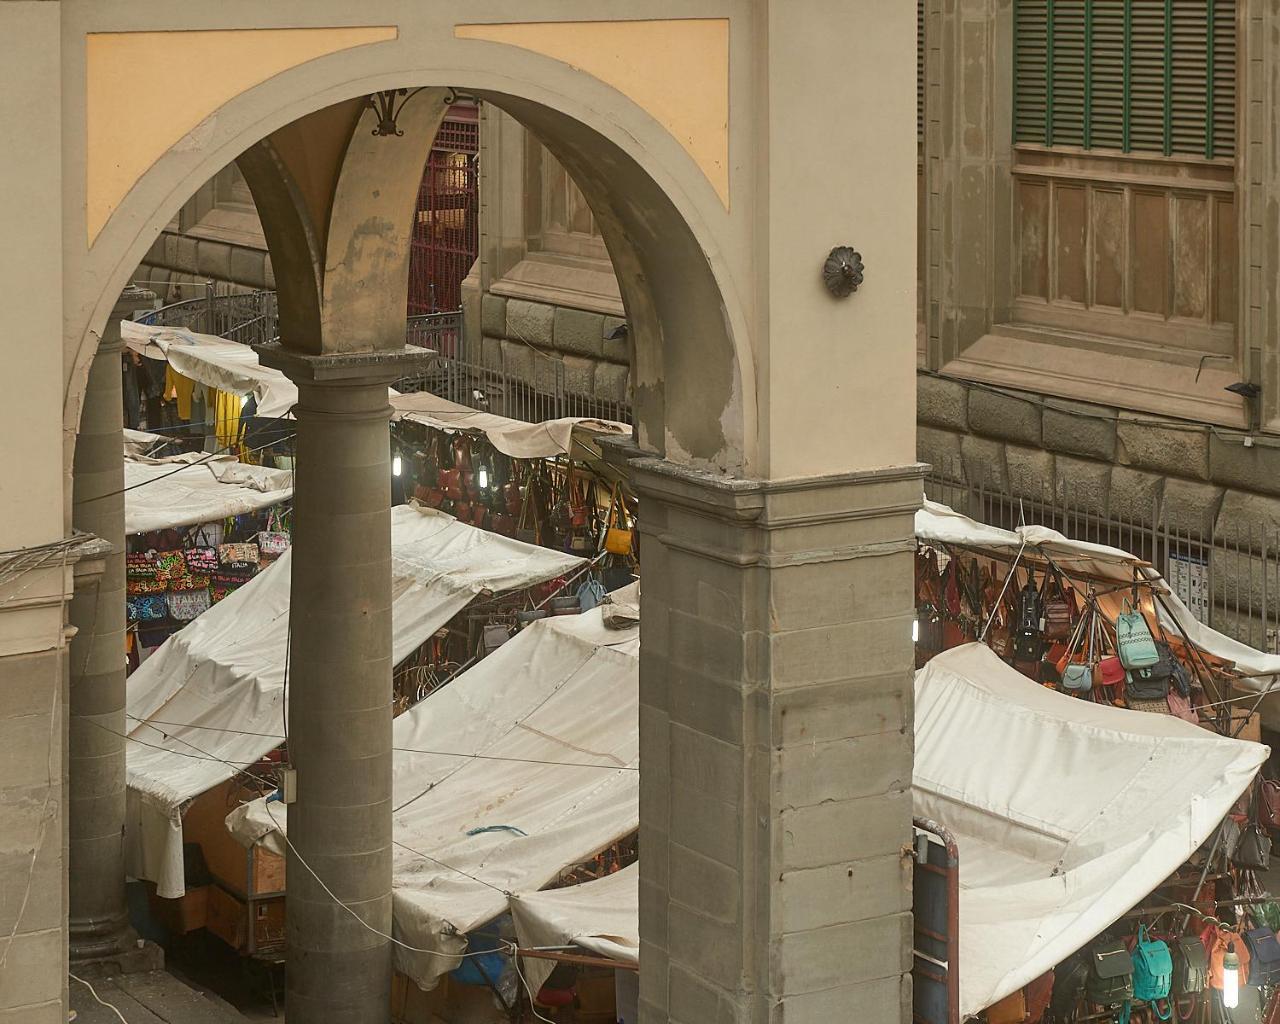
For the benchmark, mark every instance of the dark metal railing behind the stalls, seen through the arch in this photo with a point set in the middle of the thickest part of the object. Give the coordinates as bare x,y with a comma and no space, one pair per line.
253,318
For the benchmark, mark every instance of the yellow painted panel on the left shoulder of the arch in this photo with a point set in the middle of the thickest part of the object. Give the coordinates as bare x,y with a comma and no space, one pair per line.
147,92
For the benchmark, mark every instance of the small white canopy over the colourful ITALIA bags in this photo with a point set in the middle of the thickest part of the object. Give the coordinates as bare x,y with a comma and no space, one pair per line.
193,488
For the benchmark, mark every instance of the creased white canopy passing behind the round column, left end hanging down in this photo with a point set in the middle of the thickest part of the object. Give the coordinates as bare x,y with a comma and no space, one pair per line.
213,693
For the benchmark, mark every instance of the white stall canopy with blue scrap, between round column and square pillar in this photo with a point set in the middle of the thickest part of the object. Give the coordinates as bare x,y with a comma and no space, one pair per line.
542,774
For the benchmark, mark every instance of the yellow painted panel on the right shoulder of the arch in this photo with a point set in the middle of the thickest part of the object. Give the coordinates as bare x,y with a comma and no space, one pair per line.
676,70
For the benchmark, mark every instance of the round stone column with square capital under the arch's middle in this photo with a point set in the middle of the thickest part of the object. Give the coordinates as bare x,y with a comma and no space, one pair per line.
341,687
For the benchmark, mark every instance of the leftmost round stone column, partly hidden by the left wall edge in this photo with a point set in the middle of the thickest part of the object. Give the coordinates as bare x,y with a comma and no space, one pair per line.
95,760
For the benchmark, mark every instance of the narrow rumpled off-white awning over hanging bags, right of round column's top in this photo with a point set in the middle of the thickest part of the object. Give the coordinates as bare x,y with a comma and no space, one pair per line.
514,438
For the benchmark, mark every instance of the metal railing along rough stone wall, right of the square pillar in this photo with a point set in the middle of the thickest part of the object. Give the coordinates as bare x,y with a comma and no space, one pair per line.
1228,574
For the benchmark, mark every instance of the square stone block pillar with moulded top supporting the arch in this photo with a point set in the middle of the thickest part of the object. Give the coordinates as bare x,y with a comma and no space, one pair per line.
776,747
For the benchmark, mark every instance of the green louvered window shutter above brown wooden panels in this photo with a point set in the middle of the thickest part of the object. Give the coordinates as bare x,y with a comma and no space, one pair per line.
1140,76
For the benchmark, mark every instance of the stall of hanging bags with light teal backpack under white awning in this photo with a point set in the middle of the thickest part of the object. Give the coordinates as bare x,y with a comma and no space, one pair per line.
1090,620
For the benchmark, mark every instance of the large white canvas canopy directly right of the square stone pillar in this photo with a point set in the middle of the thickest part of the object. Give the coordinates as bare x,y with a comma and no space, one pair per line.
1066,813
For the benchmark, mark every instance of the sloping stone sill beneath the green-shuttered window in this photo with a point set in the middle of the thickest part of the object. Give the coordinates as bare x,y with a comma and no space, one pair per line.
1048,363
